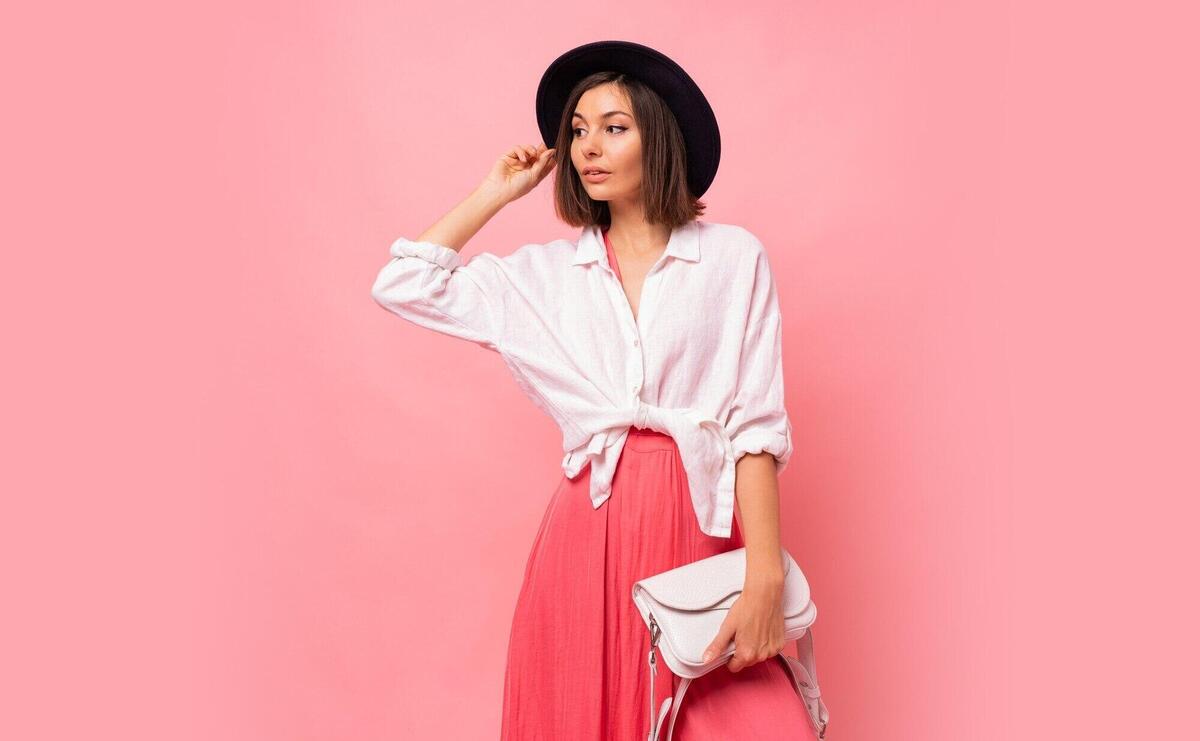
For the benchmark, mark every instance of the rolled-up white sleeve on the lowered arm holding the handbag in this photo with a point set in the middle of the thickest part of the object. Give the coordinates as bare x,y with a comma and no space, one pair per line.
758,420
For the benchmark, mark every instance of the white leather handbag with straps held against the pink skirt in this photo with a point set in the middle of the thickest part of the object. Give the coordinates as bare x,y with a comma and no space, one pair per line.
685,609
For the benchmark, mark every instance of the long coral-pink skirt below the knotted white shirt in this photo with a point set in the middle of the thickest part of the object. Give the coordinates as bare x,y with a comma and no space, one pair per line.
578,650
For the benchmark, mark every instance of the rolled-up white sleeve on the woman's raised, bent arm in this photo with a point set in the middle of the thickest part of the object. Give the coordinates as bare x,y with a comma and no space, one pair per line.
431,286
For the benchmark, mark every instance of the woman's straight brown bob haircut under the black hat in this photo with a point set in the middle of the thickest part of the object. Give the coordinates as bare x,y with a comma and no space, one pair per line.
665,195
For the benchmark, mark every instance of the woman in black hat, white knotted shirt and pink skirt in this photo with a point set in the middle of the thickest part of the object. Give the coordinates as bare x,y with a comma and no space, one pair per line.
655,344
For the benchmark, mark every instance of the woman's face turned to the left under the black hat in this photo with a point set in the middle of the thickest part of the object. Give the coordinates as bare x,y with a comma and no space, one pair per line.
605,137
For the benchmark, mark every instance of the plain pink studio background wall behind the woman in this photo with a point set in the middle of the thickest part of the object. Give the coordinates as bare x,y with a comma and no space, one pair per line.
244,503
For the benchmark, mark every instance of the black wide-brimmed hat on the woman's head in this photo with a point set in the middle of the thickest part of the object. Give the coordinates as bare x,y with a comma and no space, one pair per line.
703,140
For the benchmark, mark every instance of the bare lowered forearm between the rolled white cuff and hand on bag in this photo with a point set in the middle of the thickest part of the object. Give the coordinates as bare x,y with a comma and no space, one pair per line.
758,511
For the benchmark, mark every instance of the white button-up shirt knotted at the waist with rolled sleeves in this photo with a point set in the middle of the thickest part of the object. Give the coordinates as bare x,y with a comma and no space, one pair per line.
703,363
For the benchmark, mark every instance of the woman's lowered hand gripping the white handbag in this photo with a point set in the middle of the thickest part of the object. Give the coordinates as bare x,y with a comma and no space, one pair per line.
755,625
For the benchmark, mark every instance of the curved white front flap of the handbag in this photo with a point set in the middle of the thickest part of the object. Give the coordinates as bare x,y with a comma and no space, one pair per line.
710,582
